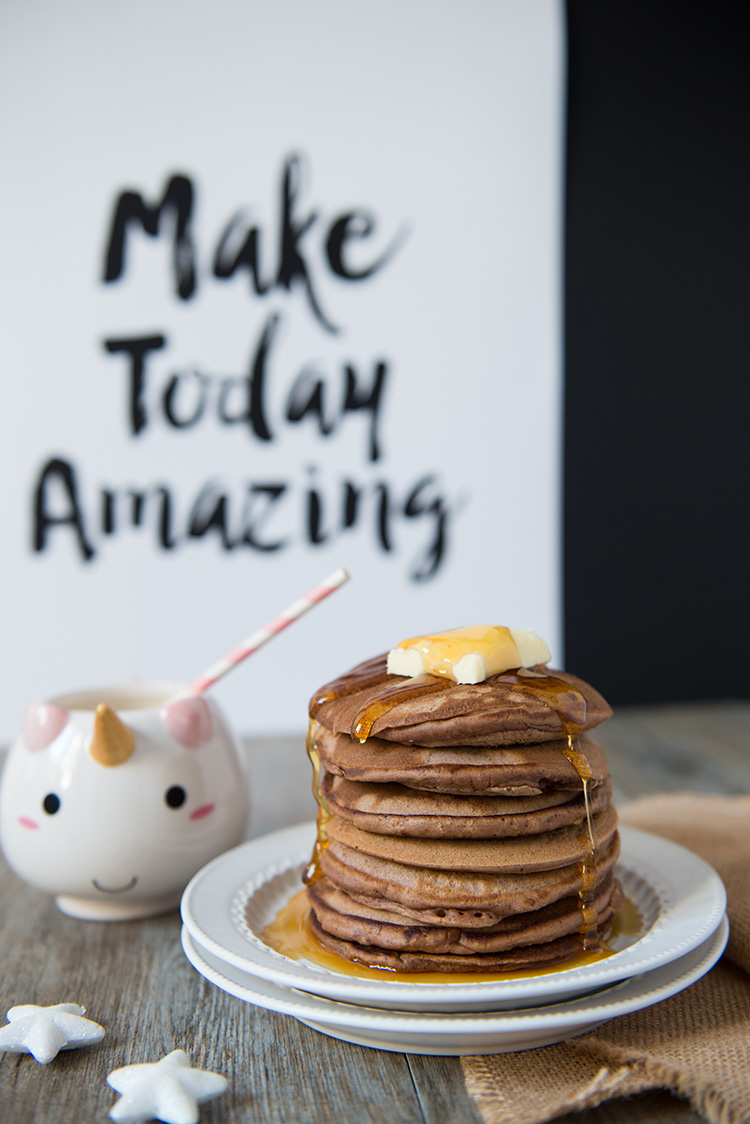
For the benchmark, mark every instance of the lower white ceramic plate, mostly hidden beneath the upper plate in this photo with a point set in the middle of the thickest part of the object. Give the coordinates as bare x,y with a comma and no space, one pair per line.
472,1034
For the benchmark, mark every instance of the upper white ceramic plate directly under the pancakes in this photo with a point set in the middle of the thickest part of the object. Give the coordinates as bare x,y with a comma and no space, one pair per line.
230,902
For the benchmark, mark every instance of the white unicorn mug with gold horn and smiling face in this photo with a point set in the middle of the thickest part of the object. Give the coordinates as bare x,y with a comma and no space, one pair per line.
112,800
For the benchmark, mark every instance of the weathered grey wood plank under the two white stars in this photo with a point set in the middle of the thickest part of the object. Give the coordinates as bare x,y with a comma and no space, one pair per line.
134,980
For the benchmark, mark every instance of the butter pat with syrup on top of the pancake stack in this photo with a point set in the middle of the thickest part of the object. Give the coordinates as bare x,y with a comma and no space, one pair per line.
468,656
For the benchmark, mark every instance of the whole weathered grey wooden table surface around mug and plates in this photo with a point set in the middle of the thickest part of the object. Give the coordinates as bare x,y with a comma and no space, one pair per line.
134,978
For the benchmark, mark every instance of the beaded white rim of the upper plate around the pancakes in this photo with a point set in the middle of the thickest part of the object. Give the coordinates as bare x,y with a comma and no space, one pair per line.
213,891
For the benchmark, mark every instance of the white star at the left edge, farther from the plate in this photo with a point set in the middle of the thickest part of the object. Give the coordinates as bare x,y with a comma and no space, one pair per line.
46,1031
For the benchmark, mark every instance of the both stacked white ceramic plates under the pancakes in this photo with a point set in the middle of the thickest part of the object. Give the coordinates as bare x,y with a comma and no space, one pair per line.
684,931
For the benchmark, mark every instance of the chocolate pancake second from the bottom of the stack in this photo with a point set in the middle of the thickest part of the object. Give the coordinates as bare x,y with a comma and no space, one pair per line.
345,918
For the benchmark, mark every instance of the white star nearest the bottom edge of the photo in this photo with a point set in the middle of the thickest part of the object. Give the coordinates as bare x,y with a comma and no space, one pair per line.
168,1091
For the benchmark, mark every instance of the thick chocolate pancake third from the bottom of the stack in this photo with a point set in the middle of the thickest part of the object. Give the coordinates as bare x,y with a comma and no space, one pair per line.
385,881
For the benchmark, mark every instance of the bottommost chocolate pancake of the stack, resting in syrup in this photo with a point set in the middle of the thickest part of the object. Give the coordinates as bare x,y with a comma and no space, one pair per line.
522,957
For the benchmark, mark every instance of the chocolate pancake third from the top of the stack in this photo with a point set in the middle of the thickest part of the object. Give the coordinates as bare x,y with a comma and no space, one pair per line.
394,810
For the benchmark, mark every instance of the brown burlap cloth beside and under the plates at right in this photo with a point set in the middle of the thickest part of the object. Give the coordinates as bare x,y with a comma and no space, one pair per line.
695,1045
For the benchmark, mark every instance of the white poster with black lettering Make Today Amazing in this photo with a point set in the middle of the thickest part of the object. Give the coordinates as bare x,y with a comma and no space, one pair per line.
281,289
